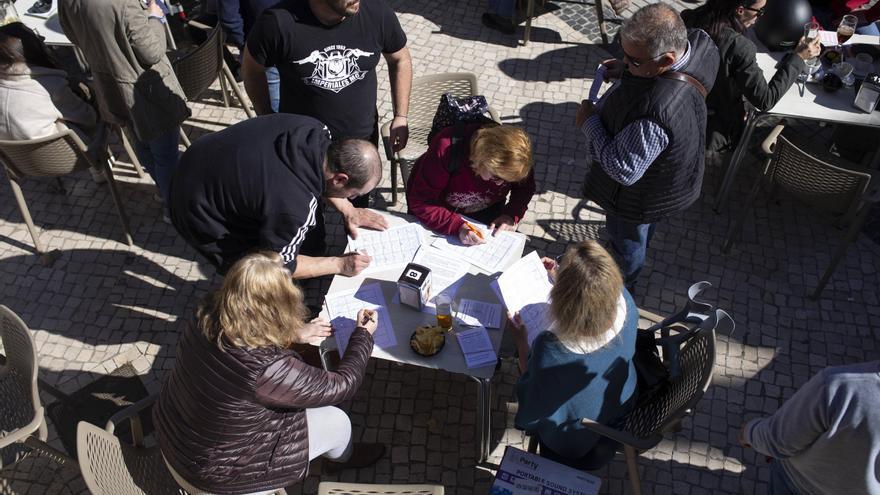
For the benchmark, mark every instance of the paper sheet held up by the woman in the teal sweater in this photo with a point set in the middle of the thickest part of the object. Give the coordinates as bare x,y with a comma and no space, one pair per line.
525,288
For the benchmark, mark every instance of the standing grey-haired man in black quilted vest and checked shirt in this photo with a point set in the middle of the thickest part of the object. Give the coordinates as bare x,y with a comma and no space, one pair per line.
646,135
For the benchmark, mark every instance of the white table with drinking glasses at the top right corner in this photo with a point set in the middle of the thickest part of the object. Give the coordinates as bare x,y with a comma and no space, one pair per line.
814,104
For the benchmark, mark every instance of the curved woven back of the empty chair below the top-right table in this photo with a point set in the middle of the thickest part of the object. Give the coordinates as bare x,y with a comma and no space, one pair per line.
814,181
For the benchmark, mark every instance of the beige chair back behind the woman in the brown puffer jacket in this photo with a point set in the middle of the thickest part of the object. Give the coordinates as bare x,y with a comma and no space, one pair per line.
110,467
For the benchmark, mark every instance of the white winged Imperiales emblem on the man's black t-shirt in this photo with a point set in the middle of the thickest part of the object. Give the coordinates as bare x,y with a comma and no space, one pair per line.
336,67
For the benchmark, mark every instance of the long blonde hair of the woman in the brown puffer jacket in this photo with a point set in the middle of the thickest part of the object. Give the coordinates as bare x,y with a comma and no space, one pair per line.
258,305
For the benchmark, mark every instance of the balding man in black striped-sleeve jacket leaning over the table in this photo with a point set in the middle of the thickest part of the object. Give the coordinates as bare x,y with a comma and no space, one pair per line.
259,184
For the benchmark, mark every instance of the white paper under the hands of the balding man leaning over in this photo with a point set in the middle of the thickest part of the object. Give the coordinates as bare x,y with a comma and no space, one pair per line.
395,246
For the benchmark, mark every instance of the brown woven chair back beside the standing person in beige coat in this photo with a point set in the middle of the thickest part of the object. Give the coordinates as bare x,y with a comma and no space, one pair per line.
199,68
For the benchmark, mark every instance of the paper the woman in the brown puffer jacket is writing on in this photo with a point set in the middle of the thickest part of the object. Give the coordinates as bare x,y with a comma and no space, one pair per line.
344,306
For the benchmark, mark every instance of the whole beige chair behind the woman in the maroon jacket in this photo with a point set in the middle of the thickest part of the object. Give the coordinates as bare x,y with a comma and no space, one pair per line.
425,96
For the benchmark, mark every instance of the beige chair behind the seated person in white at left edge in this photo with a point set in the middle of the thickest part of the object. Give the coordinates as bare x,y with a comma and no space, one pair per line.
53,156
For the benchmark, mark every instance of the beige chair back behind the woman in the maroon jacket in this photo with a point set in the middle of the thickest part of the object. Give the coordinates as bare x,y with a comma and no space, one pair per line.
425,96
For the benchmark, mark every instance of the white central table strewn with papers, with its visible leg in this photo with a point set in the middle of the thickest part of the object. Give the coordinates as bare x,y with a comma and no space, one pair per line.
405,320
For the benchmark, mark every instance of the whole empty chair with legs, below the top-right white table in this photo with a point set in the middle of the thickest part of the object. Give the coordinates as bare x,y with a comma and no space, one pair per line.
829,183
